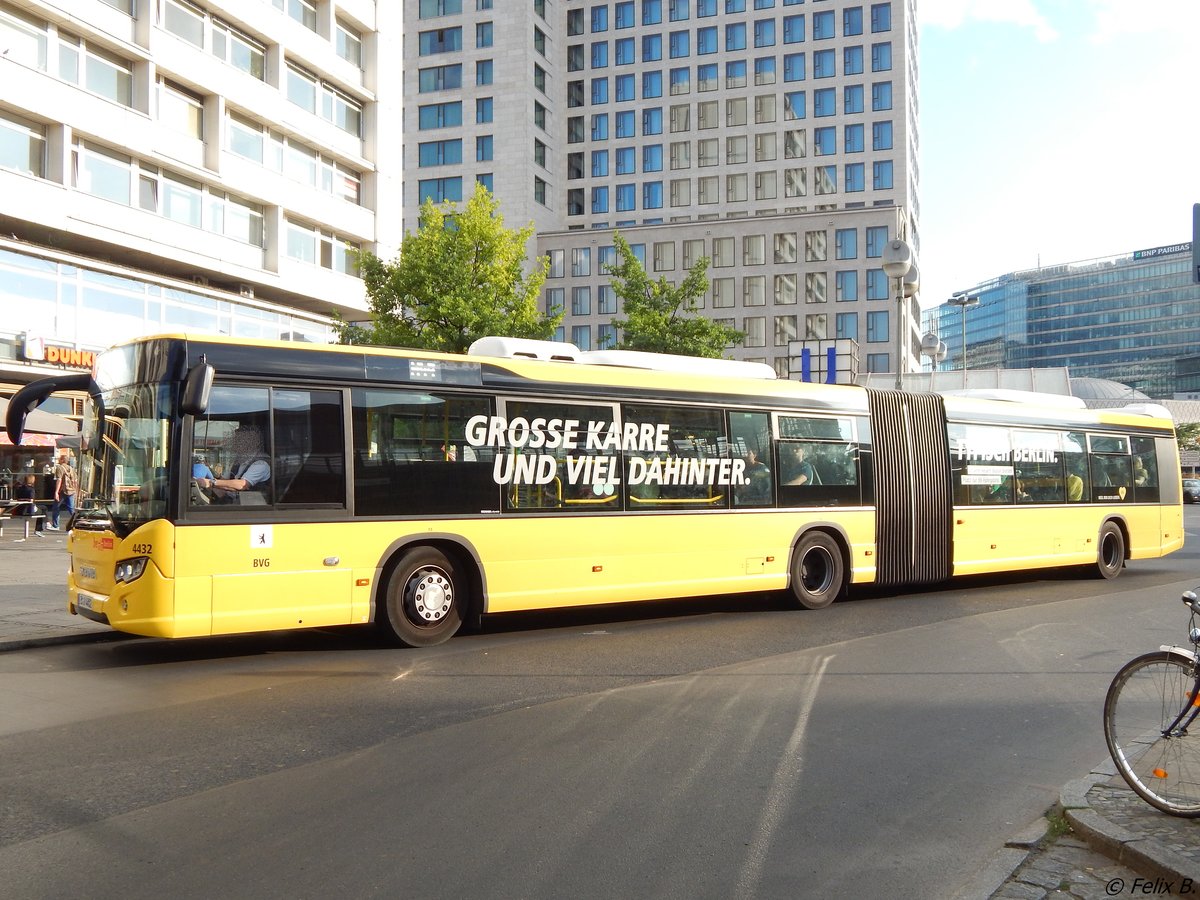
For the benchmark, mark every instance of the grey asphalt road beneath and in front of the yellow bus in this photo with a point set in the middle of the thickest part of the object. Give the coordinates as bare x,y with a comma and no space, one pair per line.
885,747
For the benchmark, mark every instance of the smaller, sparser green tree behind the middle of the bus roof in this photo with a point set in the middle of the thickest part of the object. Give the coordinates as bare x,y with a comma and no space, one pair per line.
662,317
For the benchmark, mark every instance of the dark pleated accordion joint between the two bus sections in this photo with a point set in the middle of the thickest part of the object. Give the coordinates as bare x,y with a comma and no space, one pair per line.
914,517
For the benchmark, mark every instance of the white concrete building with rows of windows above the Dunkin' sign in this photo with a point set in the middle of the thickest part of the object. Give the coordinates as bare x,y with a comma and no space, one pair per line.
169,165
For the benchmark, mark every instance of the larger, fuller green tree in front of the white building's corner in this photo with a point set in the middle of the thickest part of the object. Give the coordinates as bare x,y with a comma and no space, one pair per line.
459,278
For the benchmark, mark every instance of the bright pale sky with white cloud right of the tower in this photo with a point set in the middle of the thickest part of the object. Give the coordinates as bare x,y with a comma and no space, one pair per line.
1053,131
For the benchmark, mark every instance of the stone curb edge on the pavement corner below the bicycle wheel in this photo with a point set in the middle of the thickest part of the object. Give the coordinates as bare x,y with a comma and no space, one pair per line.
1138,853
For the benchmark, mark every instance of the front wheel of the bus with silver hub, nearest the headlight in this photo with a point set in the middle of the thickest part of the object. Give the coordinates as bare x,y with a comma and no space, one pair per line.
424,599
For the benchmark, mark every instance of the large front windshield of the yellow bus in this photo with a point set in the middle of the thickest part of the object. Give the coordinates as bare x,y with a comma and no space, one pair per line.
125,464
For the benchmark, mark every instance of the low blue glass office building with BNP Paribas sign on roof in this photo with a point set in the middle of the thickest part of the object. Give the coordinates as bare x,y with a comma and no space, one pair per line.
1129,319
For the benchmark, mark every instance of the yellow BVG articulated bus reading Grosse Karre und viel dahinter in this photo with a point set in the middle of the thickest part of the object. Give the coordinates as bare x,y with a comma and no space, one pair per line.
238,488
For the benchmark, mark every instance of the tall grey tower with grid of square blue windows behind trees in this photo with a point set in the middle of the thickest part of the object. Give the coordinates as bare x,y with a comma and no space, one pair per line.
776,137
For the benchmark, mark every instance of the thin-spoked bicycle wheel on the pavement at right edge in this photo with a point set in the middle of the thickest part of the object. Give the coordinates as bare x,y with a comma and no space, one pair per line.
1144,701
